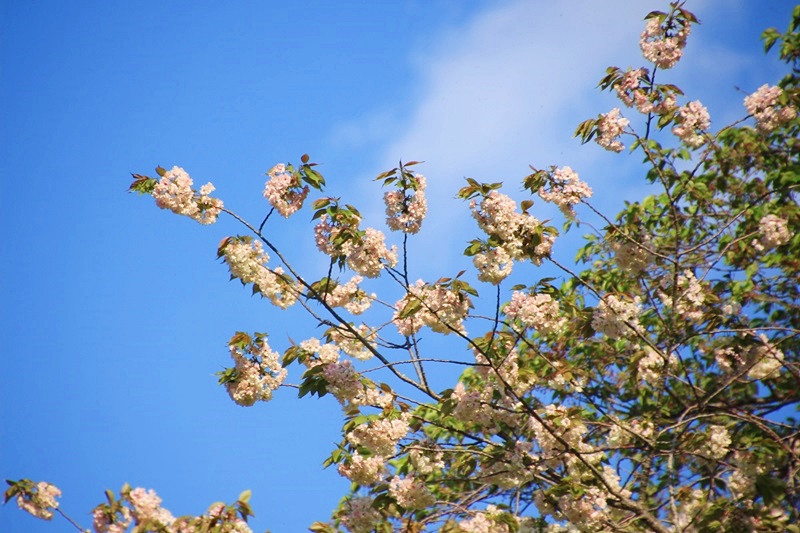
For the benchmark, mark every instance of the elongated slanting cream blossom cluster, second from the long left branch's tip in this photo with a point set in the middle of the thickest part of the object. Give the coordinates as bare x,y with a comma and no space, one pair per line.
246,260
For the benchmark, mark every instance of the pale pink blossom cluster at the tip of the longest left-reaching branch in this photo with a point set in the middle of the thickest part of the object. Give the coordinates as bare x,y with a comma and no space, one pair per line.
174,192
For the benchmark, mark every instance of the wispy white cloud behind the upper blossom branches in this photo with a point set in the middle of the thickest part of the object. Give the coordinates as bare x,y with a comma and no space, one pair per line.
506,90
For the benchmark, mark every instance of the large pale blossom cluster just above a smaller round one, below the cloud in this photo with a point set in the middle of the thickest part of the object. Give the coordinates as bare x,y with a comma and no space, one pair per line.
497,216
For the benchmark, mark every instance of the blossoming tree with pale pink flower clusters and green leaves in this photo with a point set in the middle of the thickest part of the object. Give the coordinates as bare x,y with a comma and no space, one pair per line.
652,391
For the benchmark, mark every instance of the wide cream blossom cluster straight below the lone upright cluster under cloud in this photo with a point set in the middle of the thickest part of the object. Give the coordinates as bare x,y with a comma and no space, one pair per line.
442,309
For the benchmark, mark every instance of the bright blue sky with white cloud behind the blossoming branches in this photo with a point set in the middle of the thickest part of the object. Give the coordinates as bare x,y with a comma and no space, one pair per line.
116,314
